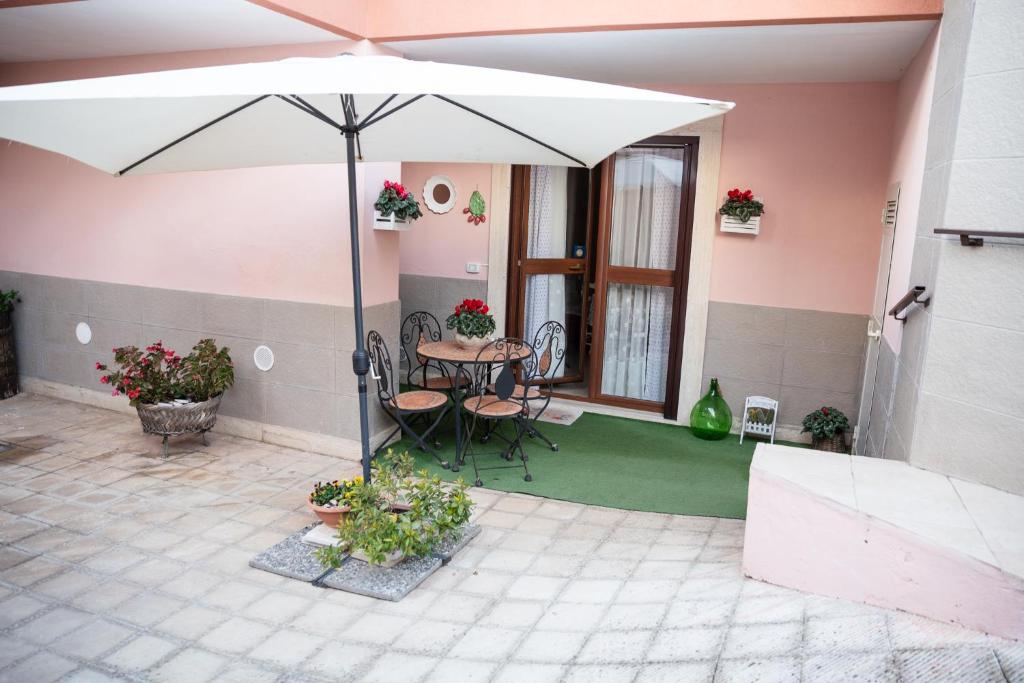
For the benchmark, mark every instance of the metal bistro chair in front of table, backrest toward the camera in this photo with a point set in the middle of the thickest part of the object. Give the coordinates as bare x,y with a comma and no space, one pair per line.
502,407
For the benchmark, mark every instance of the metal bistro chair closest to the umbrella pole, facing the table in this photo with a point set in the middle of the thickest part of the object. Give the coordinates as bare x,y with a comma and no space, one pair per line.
401,406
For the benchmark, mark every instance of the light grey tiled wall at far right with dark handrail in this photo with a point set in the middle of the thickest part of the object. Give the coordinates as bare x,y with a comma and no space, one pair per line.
958,405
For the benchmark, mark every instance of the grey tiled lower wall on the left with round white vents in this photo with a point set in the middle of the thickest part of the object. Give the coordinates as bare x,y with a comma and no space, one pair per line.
311,388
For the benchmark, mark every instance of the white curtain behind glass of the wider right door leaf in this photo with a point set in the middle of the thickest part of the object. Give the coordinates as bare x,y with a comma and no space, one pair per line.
645,229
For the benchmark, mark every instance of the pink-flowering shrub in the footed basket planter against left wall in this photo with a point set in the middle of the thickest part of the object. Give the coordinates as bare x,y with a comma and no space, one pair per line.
158,375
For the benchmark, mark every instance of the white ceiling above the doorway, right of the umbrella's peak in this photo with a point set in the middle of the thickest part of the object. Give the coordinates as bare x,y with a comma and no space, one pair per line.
805,54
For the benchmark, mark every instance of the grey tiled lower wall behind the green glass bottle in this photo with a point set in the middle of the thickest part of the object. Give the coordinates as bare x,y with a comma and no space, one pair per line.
804,359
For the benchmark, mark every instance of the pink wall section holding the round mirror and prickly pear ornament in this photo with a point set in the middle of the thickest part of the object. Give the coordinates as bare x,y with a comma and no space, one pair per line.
441,245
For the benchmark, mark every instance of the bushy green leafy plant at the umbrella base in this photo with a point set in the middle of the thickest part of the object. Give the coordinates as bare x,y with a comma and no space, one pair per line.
399,514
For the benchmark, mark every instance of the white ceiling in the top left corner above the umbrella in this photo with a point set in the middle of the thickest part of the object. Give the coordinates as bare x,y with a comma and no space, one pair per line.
112,28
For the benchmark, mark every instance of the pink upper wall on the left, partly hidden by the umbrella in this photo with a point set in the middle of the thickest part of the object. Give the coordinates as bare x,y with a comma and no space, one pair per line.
278,233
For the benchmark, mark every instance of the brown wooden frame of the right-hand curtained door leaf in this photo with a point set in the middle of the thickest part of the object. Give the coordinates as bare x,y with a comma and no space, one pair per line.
681,277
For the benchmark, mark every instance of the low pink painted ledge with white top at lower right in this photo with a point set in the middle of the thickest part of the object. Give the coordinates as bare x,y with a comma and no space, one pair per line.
817,523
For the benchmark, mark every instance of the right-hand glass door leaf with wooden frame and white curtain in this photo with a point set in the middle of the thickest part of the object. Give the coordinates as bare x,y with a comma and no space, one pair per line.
643,266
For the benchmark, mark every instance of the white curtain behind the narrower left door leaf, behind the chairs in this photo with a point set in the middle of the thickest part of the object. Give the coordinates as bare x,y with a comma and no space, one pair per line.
546,239
